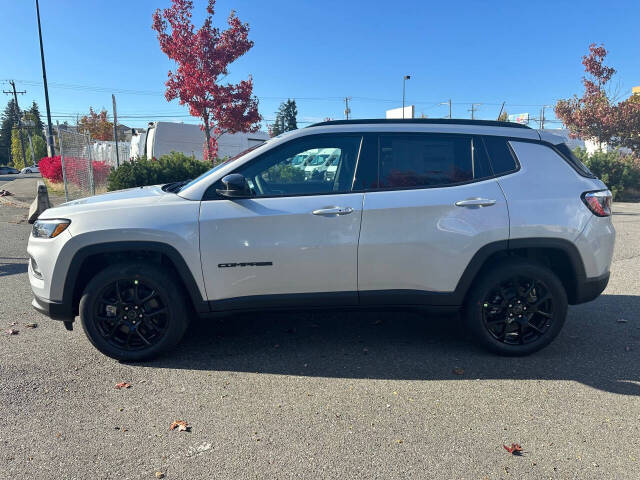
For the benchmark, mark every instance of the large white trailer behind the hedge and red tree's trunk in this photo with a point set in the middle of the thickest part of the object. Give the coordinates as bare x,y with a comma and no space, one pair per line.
165,137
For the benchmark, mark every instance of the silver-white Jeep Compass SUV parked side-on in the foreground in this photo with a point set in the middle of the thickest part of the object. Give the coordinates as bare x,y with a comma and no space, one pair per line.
493,218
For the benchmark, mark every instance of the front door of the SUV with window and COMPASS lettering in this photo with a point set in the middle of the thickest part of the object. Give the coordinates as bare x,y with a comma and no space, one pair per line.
295,241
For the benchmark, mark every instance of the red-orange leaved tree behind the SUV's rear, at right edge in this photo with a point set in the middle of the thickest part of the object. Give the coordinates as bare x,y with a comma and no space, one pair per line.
595,115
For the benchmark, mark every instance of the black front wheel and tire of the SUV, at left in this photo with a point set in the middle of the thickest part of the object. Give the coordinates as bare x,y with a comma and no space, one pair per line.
117,291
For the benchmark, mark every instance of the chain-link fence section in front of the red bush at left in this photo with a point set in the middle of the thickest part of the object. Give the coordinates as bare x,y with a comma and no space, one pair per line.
82,175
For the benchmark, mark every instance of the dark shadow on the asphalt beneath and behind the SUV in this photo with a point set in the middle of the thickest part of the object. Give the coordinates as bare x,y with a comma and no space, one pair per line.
599,346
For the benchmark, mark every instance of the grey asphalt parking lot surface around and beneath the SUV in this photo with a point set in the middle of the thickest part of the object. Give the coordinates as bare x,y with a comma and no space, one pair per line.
324,395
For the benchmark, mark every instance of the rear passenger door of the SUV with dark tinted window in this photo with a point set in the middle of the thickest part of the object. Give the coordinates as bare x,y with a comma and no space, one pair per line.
434,205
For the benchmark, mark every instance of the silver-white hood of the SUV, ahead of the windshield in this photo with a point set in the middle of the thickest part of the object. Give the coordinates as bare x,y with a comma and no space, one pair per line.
117,199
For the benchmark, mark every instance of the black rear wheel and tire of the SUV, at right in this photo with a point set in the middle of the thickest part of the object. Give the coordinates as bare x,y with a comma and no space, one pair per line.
516,307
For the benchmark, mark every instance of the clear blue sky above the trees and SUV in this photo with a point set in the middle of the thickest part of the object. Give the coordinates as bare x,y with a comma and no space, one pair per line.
525,53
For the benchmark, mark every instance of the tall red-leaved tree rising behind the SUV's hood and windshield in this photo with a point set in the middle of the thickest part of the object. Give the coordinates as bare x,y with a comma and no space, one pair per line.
202,57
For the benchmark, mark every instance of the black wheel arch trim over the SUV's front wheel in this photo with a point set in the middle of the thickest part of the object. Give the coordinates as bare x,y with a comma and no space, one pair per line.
199,303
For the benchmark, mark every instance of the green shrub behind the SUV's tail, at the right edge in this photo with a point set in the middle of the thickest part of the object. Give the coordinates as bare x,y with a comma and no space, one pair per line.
619,171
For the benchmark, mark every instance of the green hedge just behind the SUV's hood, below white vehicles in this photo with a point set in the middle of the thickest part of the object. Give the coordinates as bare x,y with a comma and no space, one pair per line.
174,167
